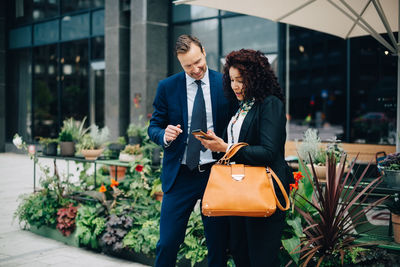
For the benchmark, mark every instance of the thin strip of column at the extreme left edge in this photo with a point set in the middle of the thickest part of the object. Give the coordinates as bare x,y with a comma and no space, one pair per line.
2,75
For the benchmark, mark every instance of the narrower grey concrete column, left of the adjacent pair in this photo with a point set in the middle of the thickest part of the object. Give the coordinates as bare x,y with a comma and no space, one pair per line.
117,67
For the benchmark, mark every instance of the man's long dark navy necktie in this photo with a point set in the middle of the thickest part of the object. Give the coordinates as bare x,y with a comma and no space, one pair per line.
199,121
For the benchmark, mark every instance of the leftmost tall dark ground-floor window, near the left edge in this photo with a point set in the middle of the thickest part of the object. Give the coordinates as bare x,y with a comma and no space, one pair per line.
18,94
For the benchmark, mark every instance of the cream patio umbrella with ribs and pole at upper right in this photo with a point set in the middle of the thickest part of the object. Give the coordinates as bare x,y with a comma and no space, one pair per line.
342,18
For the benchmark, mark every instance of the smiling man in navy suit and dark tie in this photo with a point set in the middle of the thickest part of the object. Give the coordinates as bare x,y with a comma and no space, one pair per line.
184,102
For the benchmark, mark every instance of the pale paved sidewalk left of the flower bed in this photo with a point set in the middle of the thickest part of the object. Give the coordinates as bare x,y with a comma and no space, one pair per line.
23,248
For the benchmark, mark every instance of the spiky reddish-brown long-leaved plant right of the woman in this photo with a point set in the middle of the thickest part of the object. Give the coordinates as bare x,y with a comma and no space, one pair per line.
338,210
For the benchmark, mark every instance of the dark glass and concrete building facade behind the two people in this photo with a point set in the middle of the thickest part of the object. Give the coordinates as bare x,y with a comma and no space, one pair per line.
102,59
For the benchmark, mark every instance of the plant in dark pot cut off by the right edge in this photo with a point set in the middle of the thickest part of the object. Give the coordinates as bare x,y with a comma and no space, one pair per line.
390,168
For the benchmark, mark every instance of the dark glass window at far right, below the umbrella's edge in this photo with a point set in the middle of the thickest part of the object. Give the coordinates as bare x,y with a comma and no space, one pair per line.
373,93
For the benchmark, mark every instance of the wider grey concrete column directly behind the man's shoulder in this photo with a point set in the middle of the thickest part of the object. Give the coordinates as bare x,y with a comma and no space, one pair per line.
149,54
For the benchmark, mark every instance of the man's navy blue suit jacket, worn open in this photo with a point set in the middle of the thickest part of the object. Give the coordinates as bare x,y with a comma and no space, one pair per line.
170,107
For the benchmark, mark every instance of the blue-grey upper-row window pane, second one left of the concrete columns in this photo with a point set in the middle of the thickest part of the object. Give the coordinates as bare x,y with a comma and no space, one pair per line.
70,24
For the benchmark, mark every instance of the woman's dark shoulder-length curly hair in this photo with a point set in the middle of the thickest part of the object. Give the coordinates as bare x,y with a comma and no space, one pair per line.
259,81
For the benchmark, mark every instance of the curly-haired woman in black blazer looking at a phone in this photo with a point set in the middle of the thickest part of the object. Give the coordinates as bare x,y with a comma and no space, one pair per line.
260,121
